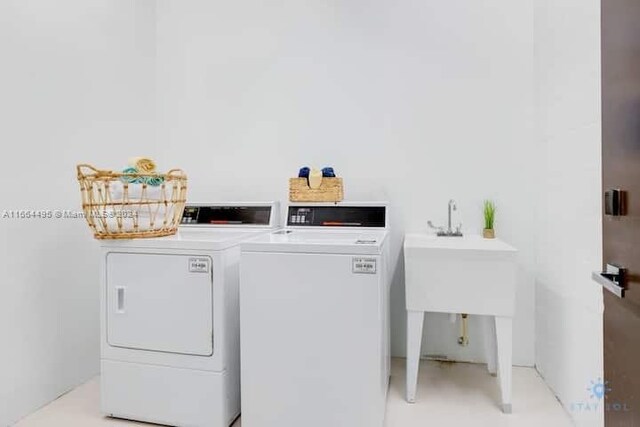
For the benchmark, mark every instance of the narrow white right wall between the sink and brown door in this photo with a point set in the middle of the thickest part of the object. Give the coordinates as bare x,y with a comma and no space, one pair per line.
568,304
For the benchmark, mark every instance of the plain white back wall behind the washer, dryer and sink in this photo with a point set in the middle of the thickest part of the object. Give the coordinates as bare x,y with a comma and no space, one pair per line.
412,102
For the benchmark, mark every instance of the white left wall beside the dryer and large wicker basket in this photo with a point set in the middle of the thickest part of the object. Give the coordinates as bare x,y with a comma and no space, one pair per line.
77,81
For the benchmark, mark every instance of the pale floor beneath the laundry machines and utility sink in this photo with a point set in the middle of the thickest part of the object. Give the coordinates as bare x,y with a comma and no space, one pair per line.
449,394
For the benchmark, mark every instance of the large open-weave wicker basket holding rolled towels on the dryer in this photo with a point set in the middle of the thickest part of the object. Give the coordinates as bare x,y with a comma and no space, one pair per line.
120,205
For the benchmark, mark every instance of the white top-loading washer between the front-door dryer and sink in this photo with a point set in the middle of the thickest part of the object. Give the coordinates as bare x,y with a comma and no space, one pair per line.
314,309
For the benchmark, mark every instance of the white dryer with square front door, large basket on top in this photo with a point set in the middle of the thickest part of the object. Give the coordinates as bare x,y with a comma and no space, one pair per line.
170,321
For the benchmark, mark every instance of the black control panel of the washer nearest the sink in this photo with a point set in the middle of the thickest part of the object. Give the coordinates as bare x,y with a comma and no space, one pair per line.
337,216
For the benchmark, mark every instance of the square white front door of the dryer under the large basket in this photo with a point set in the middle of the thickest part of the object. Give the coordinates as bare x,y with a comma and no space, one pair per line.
160,302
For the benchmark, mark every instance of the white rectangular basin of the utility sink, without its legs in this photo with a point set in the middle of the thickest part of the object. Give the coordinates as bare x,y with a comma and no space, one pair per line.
466,274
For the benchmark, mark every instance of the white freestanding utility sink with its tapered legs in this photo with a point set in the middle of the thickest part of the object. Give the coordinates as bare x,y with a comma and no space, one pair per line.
469,275
